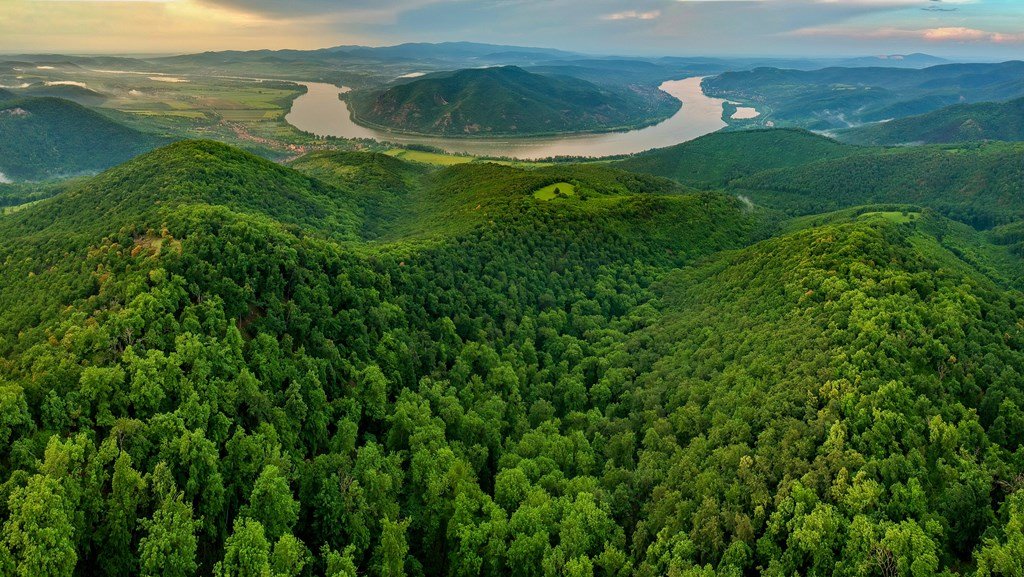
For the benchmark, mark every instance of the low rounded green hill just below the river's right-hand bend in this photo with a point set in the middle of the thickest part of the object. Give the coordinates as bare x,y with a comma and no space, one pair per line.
718,158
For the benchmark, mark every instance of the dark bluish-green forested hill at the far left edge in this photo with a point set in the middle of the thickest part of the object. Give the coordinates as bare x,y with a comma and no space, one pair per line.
48,138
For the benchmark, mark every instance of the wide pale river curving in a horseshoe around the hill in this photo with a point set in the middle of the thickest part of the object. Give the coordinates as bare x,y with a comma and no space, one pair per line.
322,112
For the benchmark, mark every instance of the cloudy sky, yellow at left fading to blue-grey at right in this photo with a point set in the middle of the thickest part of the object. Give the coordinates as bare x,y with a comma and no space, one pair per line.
978,29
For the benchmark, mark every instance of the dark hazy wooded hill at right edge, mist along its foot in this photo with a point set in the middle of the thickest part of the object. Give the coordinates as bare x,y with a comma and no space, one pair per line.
961,123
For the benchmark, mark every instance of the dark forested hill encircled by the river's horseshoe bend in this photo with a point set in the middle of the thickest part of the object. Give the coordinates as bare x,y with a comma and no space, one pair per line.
507,101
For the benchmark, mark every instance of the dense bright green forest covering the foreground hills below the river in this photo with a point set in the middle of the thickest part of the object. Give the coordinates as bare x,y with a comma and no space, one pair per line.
354,365
